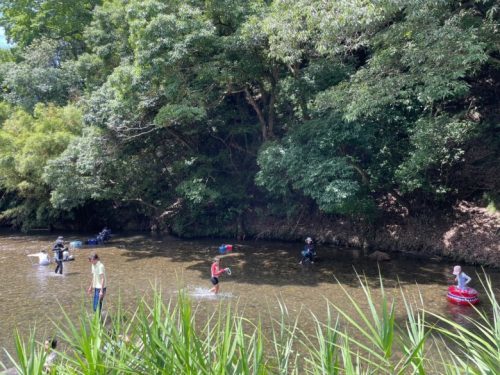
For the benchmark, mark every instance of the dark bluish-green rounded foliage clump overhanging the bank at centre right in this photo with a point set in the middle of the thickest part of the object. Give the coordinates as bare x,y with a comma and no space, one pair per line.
319,159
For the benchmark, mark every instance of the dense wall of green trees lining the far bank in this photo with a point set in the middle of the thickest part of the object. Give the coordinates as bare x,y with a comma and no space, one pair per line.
192,113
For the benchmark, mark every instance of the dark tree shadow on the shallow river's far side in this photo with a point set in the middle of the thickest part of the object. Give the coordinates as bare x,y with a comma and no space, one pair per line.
276,263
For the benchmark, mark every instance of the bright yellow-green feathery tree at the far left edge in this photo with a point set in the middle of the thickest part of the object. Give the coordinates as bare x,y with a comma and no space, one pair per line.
27,143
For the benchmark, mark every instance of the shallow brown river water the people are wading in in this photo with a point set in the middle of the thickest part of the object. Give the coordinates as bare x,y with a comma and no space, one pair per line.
263,273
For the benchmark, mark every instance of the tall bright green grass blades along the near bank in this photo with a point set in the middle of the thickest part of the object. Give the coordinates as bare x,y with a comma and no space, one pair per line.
166,338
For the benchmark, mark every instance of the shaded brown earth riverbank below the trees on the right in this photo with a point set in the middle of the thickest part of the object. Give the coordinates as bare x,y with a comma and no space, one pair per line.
468,233
